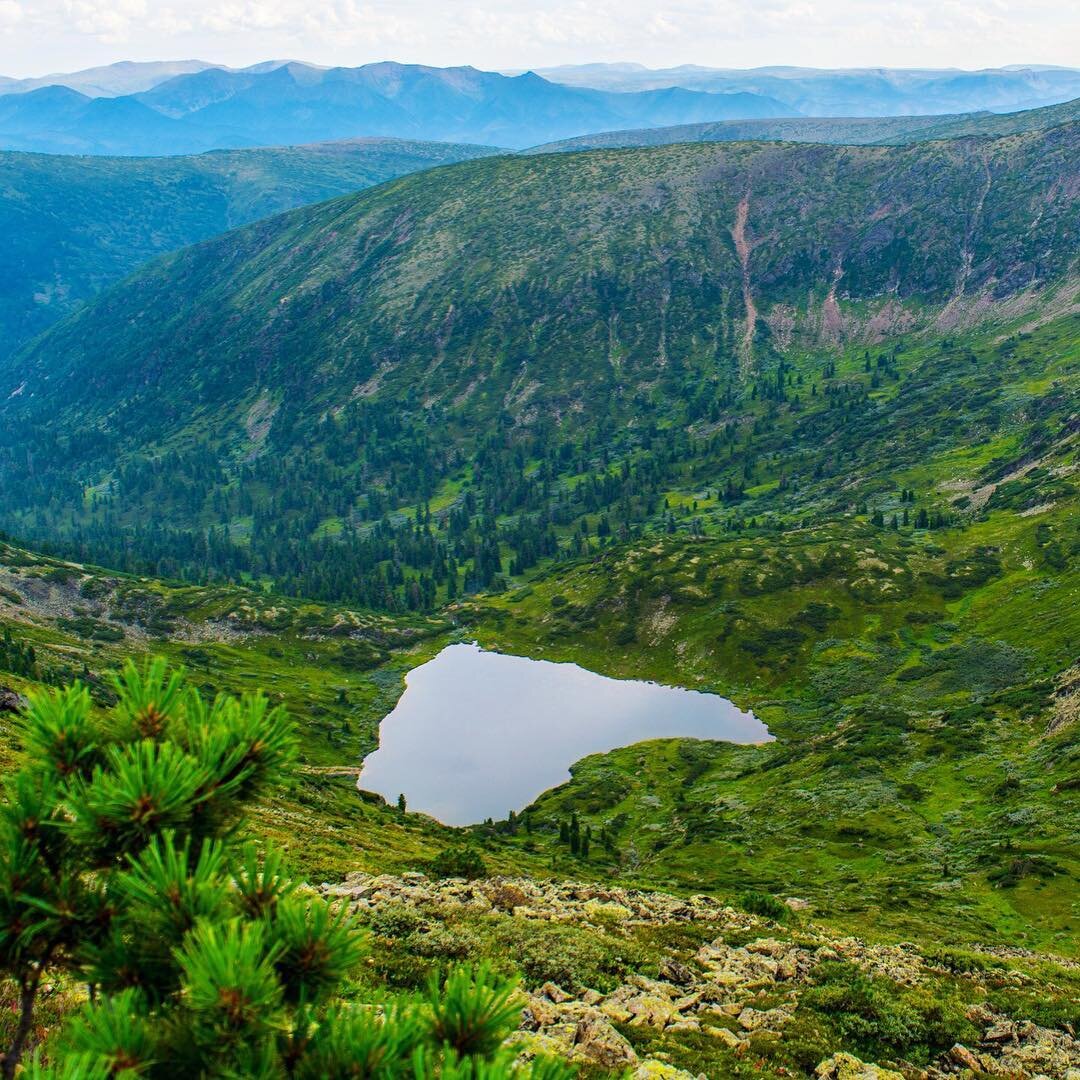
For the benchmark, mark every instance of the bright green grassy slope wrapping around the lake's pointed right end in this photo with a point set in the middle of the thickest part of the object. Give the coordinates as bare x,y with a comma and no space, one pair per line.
910,677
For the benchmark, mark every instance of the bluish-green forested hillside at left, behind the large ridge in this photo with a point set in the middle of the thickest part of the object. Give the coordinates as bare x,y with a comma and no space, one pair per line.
70,227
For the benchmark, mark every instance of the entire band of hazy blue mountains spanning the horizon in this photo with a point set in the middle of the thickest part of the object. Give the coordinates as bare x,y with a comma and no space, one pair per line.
180,107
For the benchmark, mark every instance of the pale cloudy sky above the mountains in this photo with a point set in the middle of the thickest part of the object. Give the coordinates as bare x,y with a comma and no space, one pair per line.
38,37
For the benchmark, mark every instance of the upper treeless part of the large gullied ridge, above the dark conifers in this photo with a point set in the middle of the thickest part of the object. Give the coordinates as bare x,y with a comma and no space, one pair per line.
514,269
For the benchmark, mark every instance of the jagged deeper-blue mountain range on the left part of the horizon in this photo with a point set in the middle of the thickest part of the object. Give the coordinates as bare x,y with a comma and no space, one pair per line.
290,103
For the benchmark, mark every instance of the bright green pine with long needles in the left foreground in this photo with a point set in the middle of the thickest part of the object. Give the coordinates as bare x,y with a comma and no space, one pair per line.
119,867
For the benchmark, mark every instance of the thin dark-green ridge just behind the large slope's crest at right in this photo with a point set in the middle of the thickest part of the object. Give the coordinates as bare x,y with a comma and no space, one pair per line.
853,131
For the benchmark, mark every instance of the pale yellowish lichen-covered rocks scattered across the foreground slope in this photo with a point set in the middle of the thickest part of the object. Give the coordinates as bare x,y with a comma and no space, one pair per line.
740,994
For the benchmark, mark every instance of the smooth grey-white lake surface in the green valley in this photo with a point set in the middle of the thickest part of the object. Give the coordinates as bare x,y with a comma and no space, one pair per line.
479,734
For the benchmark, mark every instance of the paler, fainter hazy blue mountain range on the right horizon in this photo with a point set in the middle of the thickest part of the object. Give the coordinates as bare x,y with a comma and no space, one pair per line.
855,92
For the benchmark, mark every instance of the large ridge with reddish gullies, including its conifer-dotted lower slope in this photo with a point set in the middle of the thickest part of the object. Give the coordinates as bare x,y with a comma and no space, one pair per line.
437,339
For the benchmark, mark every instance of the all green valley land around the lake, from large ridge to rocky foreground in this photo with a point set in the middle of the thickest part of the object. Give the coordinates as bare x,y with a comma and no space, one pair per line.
792,424
